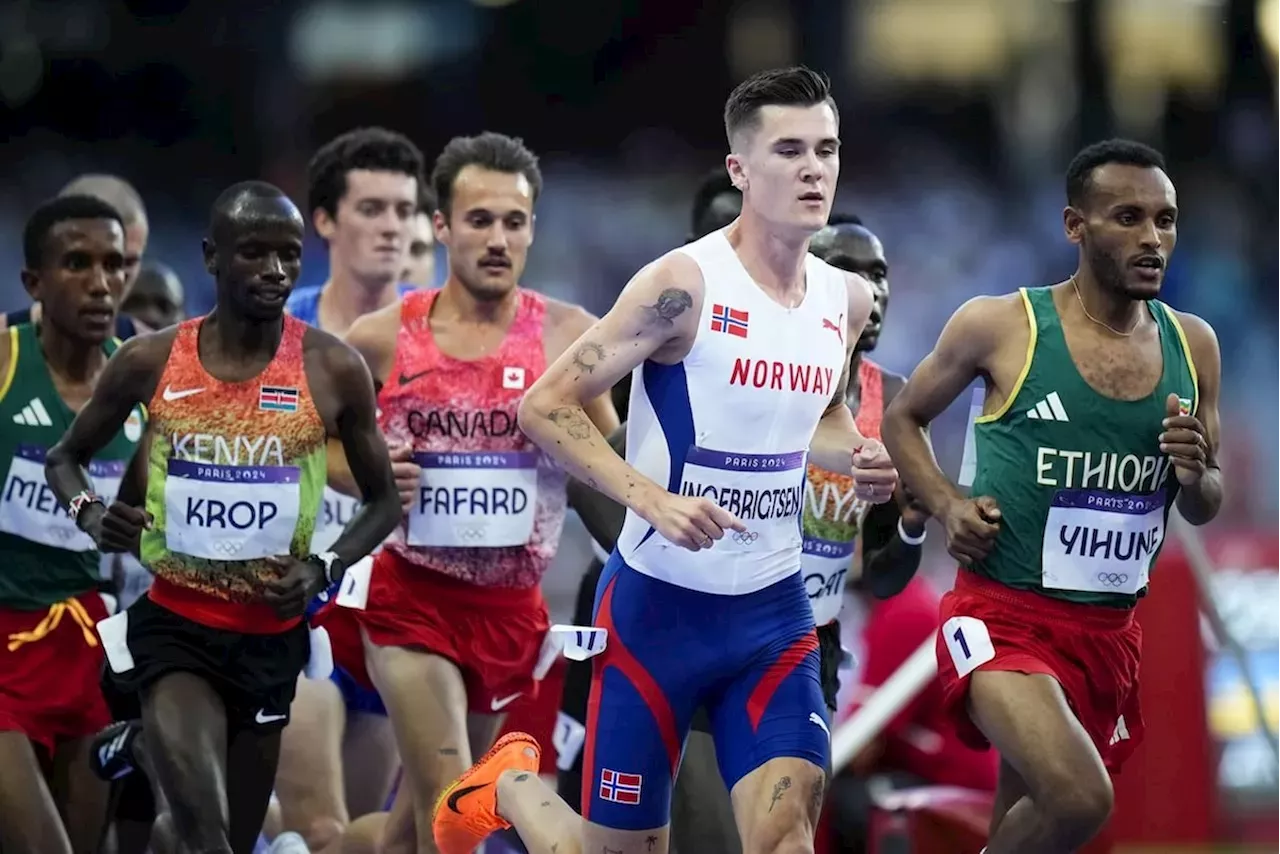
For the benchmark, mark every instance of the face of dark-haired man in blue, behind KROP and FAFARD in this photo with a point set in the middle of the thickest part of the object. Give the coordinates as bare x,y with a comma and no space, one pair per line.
371,232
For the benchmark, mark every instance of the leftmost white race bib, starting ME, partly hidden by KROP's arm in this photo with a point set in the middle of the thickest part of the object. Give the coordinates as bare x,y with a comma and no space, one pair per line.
30,509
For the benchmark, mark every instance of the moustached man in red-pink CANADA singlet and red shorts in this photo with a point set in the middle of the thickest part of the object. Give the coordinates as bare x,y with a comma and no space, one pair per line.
455,618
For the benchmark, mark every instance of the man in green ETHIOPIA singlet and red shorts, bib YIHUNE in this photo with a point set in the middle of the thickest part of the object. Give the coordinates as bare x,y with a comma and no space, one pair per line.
1100,417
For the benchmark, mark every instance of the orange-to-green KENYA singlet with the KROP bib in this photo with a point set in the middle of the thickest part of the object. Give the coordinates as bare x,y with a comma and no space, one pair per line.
237,473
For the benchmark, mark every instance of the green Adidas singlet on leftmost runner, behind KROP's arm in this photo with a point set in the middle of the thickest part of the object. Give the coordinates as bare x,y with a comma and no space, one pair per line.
47,558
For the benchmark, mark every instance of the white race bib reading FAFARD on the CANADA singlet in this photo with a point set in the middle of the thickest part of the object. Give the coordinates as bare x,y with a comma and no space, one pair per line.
473,500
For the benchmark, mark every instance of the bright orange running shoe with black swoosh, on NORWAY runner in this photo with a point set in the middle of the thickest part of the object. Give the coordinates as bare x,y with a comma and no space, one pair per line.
468,811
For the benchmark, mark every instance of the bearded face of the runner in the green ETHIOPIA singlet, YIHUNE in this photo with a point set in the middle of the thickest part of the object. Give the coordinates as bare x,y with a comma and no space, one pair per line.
1128,227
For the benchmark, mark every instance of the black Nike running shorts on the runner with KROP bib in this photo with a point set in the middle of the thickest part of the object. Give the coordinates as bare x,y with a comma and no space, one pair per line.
255,675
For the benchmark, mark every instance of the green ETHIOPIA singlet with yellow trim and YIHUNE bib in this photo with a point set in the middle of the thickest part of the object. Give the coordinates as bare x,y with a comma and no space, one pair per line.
1084,488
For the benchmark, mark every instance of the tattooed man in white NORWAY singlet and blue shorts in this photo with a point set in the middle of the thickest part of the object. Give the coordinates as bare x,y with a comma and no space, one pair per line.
740,342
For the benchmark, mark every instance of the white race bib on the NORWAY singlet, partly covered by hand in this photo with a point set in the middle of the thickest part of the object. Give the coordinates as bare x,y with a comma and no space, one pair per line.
765,491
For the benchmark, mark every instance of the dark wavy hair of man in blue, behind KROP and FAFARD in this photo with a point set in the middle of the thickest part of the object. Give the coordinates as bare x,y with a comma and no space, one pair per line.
373,149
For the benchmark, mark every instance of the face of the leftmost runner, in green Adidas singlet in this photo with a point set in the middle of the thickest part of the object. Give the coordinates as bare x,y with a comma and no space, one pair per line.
81,278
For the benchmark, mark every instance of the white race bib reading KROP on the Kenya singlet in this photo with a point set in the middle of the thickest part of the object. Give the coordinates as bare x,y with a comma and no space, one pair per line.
231,513
